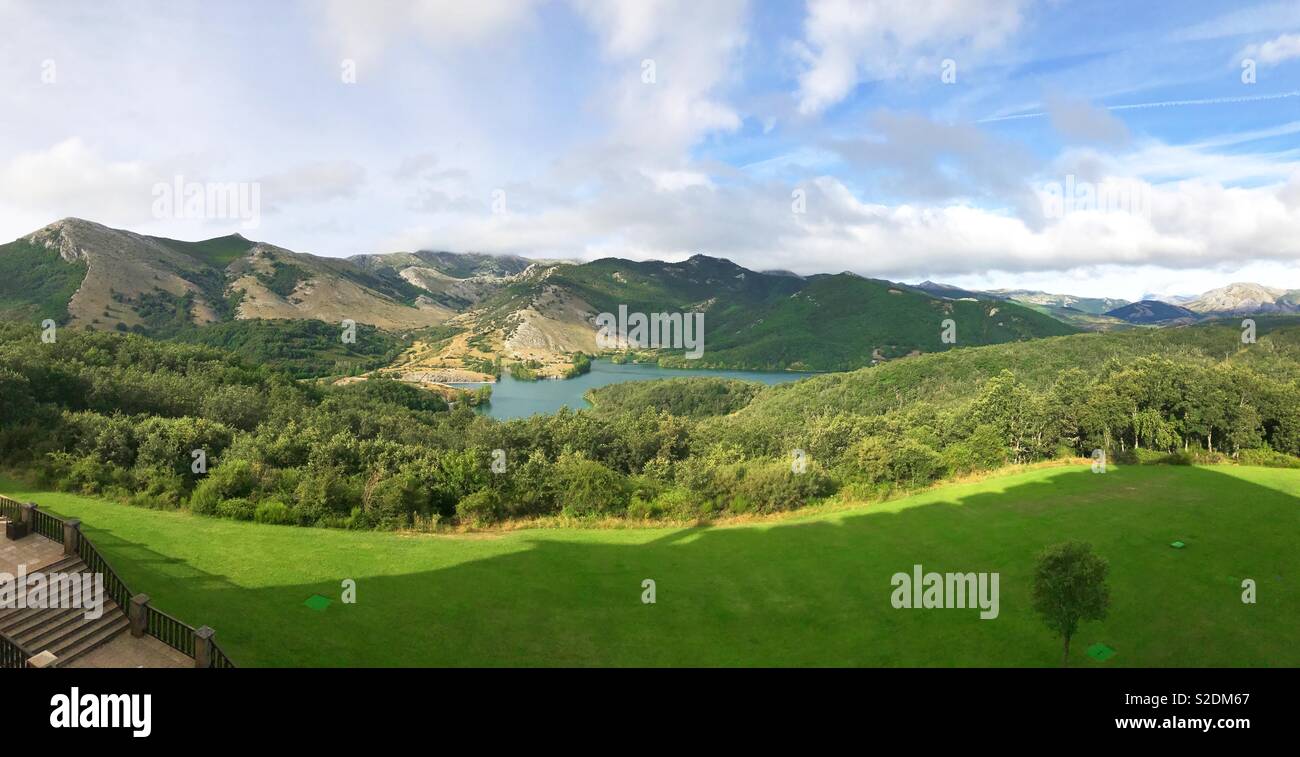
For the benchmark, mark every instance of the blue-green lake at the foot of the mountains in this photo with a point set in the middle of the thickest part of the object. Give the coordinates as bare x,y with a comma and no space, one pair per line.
514,399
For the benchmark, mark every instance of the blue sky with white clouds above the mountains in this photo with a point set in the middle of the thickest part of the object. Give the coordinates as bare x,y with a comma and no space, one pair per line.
1106,149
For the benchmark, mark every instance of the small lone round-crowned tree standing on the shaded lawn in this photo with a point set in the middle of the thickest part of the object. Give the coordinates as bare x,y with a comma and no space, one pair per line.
1071,587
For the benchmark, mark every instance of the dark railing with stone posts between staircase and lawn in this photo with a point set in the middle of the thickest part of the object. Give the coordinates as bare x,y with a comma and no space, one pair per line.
167,629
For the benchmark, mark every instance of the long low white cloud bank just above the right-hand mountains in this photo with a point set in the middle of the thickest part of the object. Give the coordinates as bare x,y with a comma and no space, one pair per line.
1181,226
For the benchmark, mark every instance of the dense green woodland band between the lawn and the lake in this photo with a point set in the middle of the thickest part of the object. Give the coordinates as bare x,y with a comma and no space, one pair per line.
123,416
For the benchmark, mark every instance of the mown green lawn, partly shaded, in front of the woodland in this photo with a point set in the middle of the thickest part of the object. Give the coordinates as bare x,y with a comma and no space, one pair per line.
808,591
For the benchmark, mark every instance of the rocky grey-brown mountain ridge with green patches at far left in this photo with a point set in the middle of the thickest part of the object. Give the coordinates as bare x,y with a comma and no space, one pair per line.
138,283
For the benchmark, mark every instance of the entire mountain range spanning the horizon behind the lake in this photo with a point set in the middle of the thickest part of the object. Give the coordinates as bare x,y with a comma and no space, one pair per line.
465,314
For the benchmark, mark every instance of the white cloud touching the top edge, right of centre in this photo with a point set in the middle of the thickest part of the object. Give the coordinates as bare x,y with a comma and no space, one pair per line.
850,41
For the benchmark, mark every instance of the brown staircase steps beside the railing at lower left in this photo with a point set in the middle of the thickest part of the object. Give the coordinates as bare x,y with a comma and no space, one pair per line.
64,633
